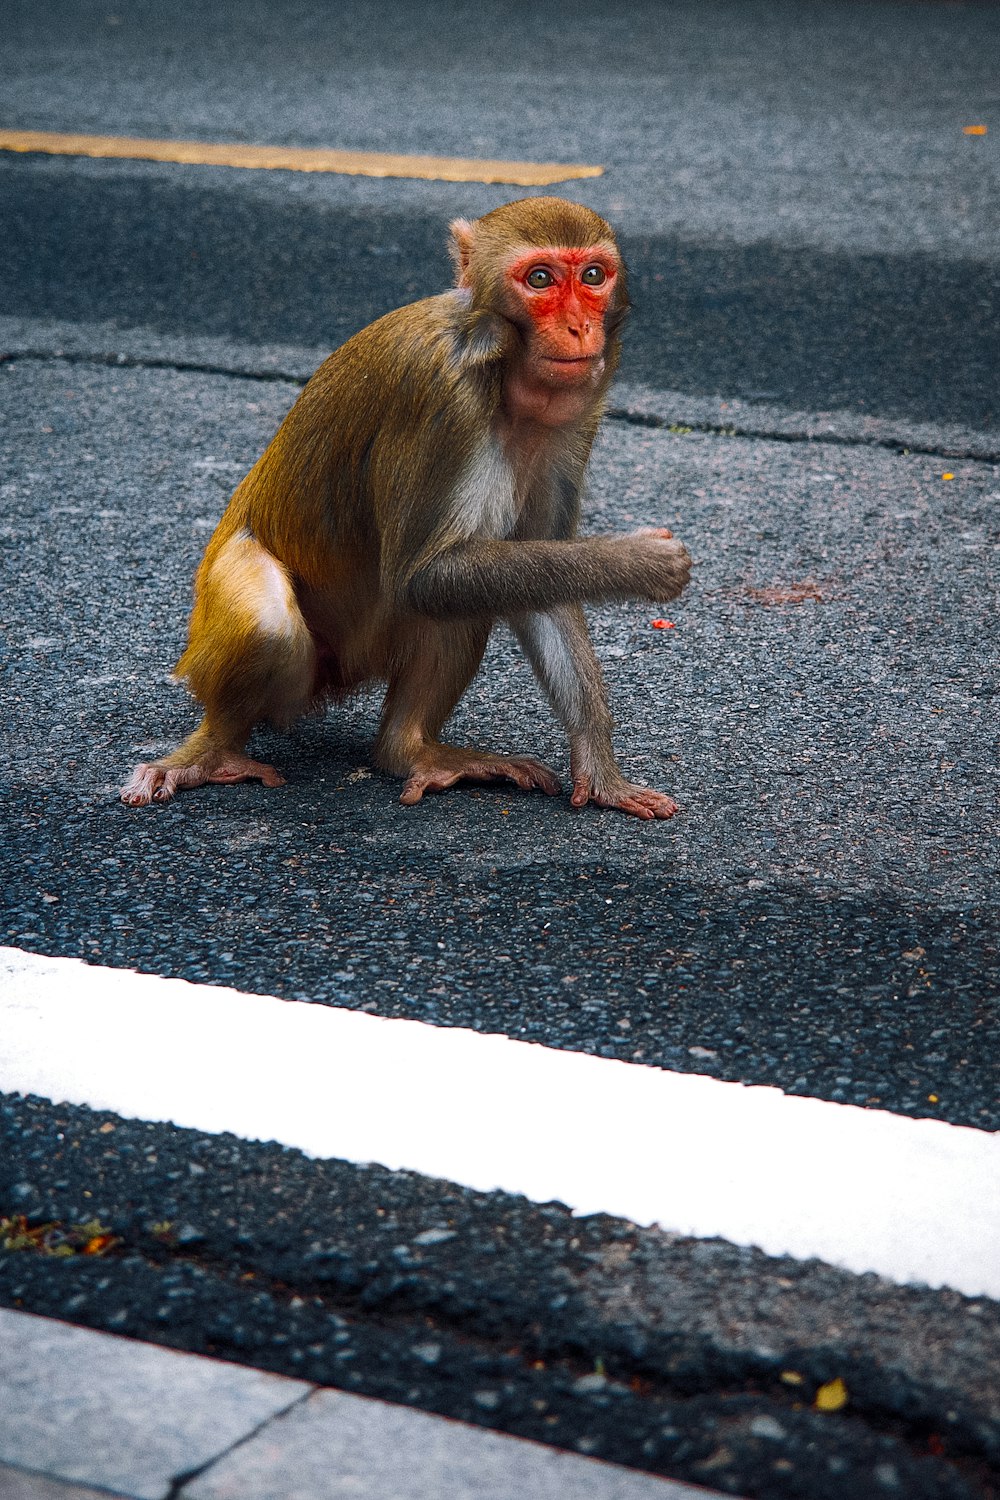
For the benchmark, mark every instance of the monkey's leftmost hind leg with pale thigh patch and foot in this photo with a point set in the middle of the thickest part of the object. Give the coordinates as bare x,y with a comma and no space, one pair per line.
250,658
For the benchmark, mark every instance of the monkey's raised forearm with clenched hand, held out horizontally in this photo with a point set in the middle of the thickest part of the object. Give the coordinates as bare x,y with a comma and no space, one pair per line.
503,578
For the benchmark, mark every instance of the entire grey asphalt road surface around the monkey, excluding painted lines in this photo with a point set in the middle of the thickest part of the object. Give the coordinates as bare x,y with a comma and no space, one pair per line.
810,401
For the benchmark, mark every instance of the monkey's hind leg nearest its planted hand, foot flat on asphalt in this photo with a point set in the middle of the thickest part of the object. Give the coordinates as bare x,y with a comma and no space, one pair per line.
425,688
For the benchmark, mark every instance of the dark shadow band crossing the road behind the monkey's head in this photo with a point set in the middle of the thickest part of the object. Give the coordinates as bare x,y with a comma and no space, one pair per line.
911,337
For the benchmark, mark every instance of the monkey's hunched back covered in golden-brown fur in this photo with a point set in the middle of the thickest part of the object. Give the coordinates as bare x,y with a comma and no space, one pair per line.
370,454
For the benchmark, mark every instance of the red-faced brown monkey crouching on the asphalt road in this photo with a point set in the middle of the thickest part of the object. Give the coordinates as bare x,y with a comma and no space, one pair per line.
425,485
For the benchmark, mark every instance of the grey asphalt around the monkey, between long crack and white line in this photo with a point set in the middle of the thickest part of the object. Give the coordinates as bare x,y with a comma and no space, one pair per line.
824,710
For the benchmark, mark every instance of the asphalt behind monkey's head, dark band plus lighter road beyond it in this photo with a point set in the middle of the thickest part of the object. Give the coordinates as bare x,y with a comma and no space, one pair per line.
804,218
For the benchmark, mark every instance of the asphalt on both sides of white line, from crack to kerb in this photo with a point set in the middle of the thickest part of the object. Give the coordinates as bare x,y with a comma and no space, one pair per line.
821,916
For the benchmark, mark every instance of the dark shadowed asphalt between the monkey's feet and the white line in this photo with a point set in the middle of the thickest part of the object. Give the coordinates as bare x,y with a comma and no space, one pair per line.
785,986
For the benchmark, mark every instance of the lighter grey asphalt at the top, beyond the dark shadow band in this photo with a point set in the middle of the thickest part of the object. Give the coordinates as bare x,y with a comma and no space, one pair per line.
834,128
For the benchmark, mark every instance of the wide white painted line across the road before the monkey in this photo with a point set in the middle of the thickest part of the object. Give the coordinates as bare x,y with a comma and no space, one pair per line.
912,1201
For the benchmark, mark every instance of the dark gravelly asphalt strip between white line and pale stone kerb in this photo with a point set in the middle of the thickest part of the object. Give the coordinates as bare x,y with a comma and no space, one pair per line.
695,1360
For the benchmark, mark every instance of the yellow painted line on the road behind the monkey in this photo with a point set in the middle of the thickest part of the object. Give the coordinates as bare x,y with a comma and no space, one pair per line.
296,160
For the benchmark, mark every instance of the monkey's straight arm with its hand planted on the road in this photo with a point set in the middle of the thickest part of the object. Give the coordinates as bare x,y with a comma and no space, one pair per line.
558,647
